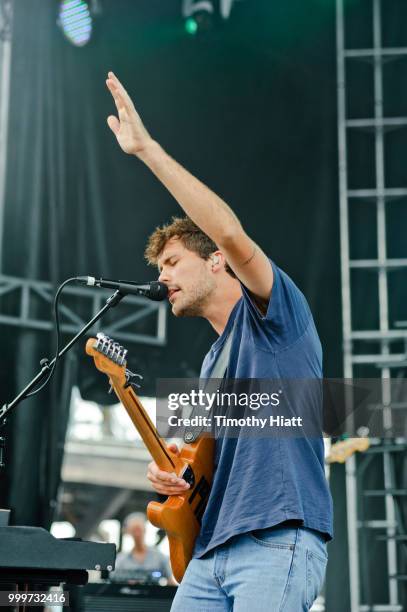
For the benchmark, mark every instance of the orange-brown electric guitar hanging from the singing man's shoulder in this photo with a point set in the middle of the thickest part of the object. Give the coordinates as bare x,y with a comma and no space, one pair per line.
180,515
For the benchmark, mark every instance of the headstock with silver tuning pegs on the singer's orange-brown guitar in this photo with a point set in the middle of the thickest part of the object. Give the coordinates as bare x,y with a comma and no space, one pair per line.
109,356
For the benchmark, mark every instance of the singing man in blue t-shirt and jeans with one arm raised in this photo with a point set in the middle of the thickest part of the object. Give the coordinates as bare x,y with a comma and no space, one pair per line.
262,544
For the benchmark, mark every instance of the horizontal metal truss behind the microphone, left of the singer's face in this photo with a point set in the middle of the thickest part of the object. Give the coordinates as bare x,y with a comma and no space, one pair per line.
21,299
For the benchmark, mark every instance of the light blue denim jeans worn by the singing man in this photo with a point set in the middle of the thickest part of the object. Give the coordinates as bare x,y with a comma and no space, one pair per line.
280,569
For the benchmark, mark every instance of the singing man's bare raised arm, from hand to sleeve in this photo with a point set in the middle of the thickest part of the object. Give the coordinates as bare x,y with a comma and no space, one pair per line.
210,213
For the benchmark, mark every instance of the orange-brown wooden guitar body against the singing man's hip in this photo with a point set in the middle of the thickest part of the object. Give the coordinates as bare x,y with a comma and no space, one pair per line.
180,515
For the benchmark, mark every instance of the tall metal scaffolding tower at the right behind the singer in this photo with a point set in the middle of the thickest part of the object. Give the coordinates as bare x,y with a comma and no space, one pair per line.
386,346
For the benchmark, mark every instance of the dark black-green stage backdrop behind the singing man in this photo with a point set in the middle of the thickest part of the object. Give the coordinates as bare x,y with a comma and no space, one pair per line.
250,108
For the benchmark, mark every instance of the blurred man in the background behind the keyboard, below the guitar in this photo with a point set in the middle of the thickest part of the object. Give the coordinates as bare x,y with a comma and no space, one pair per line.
143,563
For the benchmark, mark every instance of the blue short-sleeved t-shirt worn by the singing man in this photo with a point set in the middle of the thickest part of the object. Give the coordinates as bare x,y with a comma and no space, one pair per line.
261,482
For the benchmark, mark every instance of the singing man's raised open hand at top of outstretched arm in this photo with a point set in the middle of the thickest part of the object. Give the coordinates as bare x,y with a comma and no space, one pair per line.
128,128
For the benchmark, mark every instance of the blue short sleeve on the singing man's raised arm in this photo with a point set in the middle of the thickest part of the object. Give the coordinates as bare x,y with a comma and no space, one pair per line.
288,314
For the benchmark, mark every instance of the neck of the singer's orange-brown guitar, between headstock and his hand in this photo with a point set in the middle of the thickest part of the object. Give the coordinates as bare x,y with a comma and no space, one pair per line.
165,459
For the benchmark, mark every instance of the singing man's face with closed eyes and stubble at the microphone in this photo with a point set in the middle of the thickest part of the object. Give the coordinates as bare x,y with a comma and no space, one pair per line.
188,278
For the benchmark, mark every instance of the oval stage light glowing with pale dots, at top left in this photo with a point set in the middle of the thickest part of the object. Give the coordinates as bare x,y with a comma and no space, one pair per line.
75,21
